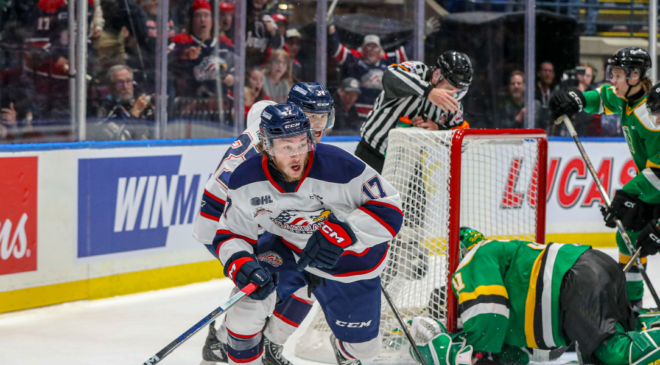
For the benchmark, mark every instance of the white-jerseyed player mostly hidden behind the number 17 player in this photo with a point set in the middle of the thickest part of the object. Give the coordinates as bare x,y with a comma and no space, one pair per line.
317,103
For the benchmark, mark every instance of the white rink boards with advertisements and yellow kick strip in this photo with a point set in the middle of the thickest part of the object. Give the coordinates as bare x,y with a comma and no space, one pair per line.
94,220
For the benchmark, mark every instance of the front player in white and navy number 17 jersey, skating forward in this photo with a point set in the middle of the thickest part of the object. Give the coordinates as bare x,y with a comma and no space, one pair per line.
326,215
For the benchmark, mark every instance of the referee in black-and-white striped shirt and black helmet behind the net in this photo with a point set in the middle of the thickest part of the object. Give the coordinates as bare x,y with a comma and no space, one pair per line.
429,98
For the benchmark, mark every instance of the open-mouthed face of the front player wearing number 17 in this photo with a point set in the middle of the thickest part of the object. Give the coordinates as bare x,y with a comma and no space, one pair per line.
290,155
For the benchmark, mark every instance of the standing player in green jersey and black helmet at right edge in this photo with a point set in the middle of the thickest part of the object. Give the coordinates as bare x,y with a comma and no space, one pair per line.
636,202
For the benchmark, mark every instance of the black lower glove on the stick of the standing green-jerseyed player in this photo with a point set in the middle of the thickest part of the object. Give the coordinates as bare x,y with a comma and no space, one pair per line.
627,208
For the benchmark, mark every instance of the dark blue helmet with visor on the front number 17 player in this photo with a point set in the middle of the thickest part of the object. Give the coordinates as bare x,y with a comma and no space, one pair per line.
286,121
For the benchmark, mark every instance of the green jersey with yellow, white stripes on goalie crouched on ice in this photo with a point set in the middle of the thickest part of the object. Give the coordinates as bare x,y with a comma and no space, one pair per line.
508,293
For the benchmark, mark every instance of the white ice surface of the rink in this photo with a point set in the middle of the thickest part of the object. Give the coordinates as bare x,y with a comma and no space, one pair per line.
129,329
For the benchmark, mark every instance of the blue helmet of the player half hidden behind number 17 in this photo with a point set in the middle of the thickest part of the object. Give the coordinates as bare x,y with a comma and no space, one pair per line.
314,98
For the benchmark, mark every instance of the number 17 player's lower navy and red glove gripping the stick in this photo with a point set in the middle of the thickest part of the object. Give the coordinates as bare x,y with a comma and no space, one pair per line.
243,269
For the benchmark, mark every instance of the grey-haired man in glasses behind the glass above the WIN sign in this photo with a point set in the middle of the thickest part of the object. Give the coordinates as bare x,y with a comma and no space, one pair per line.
122,116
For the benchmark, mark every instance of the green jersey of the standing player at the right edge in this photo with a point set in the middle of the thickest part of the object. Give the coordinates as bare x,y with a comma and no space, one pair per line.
642,135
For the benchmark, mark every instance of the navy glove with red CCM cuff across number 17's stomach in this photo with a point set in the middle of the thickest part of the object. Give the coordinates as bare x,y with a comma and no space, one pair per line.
327,244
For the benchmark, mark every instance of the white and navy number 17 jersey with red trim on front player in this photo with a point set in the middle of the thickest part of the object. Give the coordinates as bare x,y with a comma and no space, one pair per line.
334,181
